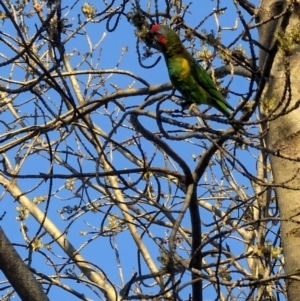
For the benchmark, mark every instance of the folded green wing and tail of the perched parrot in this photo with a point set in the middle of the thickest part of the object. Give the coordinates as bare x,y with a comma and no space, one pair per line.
205,81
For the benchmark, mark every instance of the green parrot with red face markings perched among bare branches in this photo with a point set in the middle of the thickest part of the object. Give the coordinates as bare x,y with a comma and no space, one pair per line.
186,75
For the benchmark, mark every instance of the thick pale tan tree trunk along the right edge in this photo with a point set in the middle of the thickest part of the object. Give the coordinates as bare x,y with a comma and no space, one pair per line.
279,103
